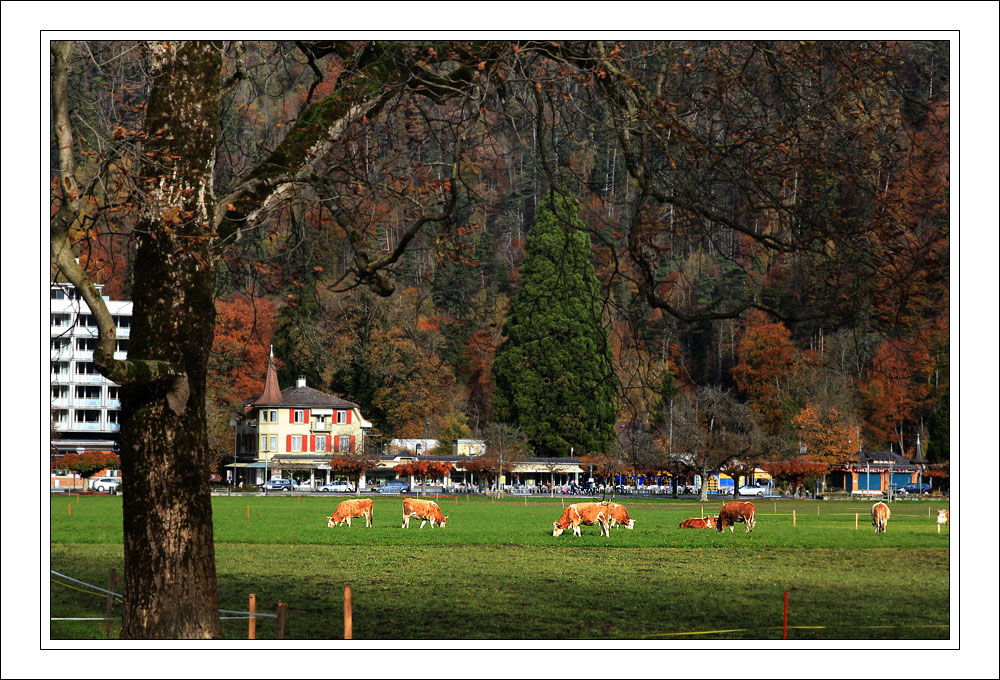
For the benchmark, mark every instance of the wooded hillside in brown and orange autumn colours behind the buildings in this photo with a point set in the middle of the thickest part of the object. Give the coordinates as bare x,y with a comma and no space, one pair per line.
766,226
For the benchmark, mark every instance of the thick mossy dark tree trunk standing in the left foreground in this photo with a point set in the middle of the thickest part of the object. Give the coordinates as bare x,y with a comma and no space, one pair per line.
170,589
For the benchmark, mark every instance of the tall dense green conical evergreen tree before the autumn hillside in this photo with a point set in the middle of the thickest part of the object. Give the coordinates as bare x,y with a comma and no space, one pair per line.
554,374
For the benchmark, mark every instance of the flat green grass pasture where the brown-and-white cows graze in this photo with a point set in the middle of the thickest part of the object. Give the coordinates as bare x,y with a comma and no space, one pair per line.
496,571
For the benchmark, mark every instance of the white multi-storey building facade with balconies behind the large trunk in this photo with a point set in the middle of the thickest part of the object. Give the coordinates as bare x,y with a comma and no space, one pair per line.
82,400
